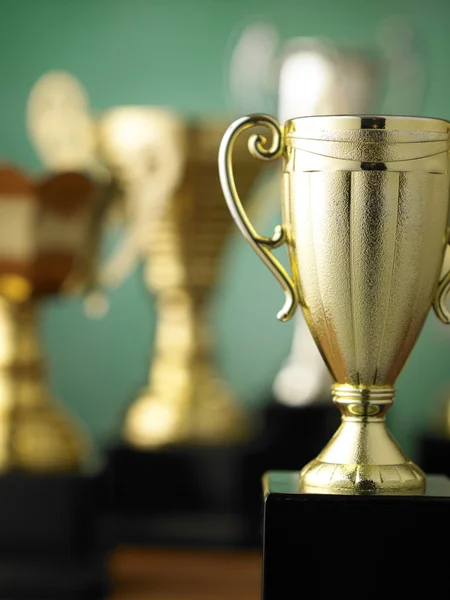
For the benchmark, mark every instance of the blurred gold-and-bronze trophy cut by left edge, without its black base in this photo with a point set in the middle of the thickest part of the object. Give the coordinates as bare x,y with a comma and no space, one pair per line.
49,230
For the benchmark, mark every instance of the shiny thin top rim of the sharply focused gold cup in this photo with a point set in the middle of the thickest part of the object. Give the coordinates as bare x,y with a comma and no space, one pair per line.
368,121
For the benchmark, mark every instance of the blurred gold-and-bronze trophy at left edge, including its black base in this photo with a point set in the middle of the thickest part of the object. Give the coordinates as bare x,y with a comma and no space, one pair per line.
49,471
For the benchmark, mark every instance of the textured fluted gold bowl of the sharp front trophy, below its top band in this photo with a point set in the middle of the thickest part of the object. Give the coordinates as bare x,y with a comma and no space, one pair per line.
369,247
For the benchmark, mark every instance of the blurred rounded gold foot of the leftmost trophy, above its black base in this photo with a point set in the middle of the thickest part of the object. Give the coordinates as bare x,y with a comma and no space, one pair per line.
40,439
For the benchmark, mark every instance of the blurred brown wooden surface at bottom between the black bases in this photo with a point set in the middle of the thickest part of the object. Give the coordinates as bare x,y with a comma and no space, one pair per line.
164,574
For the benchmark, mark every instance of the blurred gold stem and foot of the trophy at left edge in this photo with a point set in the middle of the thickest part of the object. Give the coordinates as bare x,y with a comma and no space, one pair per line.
34,435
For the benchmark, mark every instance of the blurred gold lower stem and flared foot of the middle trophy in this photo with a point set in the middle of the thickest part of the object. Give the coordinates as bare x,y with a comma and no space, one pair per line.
185,400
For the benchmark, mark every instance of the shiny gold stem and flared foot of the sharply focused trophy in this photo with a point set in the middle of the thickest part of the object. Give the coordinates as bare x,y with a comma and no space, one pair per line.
362,457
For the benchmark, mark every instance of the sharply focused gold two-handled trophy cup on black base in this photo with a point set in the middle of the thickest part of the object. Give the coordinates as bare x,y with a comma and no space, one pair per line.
365,220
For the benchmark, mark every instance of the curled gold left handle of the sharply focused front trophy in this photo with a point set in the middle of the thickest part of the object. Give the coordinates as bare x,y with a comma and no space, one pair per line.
261,245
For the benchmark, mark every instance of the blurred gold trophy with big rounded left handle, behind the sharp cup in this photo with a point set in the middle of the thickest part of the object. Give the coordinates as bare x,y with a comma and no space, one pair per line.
169,197
